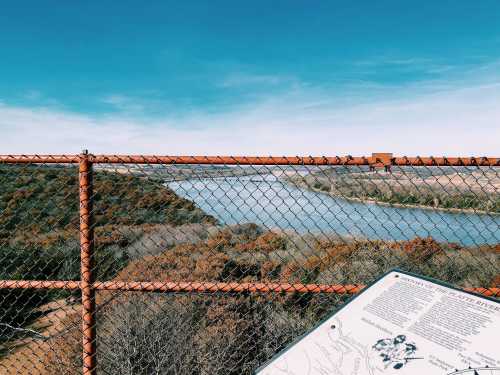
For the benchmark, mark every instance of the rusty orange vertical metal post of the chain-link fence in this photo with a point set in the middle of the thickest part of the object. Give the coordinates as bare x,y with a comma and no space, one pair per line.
87,277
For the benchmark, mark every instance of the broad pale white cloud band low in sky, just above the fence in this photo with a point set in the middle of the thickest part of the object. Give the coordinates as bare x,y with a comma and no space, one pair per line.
437,117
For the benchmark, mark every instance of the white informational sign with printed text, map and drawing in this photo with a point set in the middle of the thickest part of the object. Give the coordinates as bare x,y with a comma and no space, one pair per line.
402,324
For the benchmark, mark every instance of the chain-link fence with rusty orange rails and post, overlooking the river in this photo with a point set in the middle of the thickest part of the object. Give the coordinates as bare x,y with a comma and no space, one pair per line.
211,265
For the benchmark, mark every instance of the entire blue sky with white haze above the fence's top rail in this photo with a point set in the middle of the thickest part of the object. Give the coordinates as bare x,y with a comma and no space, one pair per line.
250,77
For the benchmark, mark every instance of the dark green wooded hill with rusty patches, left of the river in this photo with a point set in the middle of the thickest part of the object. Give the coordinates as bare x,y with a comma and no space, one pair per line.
39,199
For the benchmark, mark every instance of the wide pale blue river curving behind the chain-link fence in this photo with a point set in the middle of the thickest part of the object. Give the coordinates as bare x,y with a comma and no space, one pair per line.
272,203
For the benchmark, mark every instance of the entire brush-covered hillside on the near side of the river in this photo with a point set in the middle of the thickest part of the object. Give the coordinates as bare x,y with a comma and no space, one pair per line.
145,232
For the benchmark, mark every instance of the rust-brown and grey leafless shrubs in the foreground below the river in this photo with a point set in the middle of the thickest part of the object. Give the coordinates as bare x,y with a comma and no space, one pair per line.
234,333
